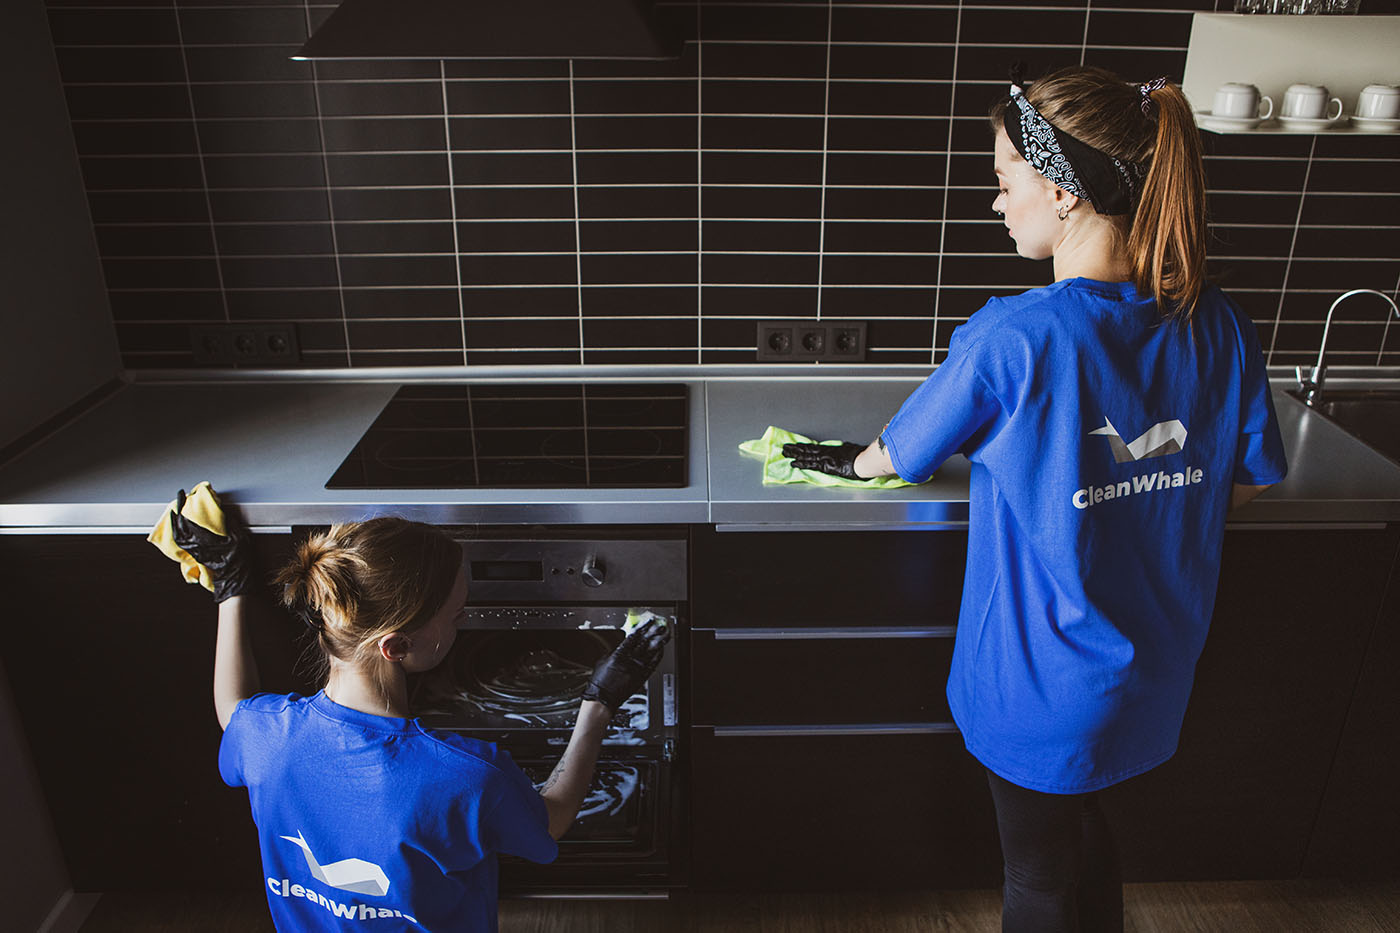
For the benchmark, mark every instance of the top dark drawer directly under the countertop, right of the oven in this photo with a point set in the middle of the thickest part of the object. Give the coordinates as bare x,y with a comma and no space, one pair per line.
822,579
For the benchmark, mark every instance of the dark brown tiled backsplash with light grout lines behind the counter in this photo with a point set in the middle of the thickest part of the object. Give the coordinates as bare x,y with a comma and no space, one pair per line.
807,160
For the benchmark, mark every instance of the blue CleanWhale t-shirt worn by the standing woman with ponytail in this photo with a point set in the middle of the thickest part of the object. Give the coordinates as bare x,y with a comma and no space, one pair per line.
1104,446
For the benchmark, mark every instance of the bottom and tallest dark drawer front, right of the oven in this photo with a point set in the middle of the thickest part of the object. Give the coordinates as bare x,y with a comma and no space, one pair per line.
831,810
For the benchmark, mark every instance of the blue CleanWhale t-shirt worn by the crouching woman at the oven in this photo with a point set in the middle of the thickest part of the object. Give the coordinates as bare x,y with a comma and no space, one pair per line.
369,823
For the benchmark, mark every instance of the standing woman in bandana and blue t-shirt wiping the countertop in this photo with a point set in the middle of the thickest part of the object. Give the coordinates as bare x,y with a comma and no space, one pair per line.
1112,420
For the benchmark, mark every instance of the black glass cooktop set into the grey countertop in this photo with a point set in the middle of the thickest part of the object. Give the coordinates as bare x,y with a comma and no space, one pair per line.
559,436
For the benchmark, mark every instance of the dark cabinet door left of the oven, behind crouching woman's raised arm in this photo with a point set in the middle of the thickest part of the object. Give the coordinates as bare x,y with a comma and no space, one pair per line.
113,682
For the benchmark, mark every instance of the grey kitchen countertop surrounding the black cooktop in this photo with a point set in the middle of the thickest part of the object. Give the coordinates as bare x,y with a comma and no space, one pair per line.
272,441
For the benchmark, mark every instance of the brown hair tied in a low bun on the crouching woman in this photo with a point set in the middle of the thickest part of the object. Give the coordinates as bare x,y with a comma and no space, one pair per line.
363,581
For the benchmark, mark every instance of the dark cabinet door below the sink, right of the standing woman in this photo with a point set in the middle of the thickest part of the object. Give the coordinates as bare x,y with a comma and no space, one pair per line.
1272,693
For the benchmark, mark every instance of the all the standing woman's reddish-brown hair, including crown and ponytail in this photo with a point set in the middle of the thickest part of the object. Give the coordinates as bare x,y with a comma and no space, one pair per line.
1167,235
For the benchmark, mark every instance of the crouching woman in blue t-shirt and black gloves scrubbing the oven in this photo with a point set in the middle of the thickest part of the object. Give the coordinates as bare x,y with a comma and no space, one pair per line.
366,819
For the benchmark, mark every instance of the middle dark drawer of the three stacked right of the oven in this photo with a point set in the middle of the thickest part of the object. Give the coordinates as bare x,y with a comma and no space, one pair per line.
820,676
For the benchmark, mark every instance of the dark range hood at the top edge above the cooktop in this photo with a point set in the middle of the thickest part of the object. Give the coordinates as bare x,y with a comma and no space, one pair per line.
493,30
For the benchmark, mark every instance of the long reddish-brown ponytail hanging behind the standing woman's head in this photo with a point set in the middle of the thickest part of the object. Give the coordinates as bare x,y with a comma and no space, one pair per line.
1167,242
